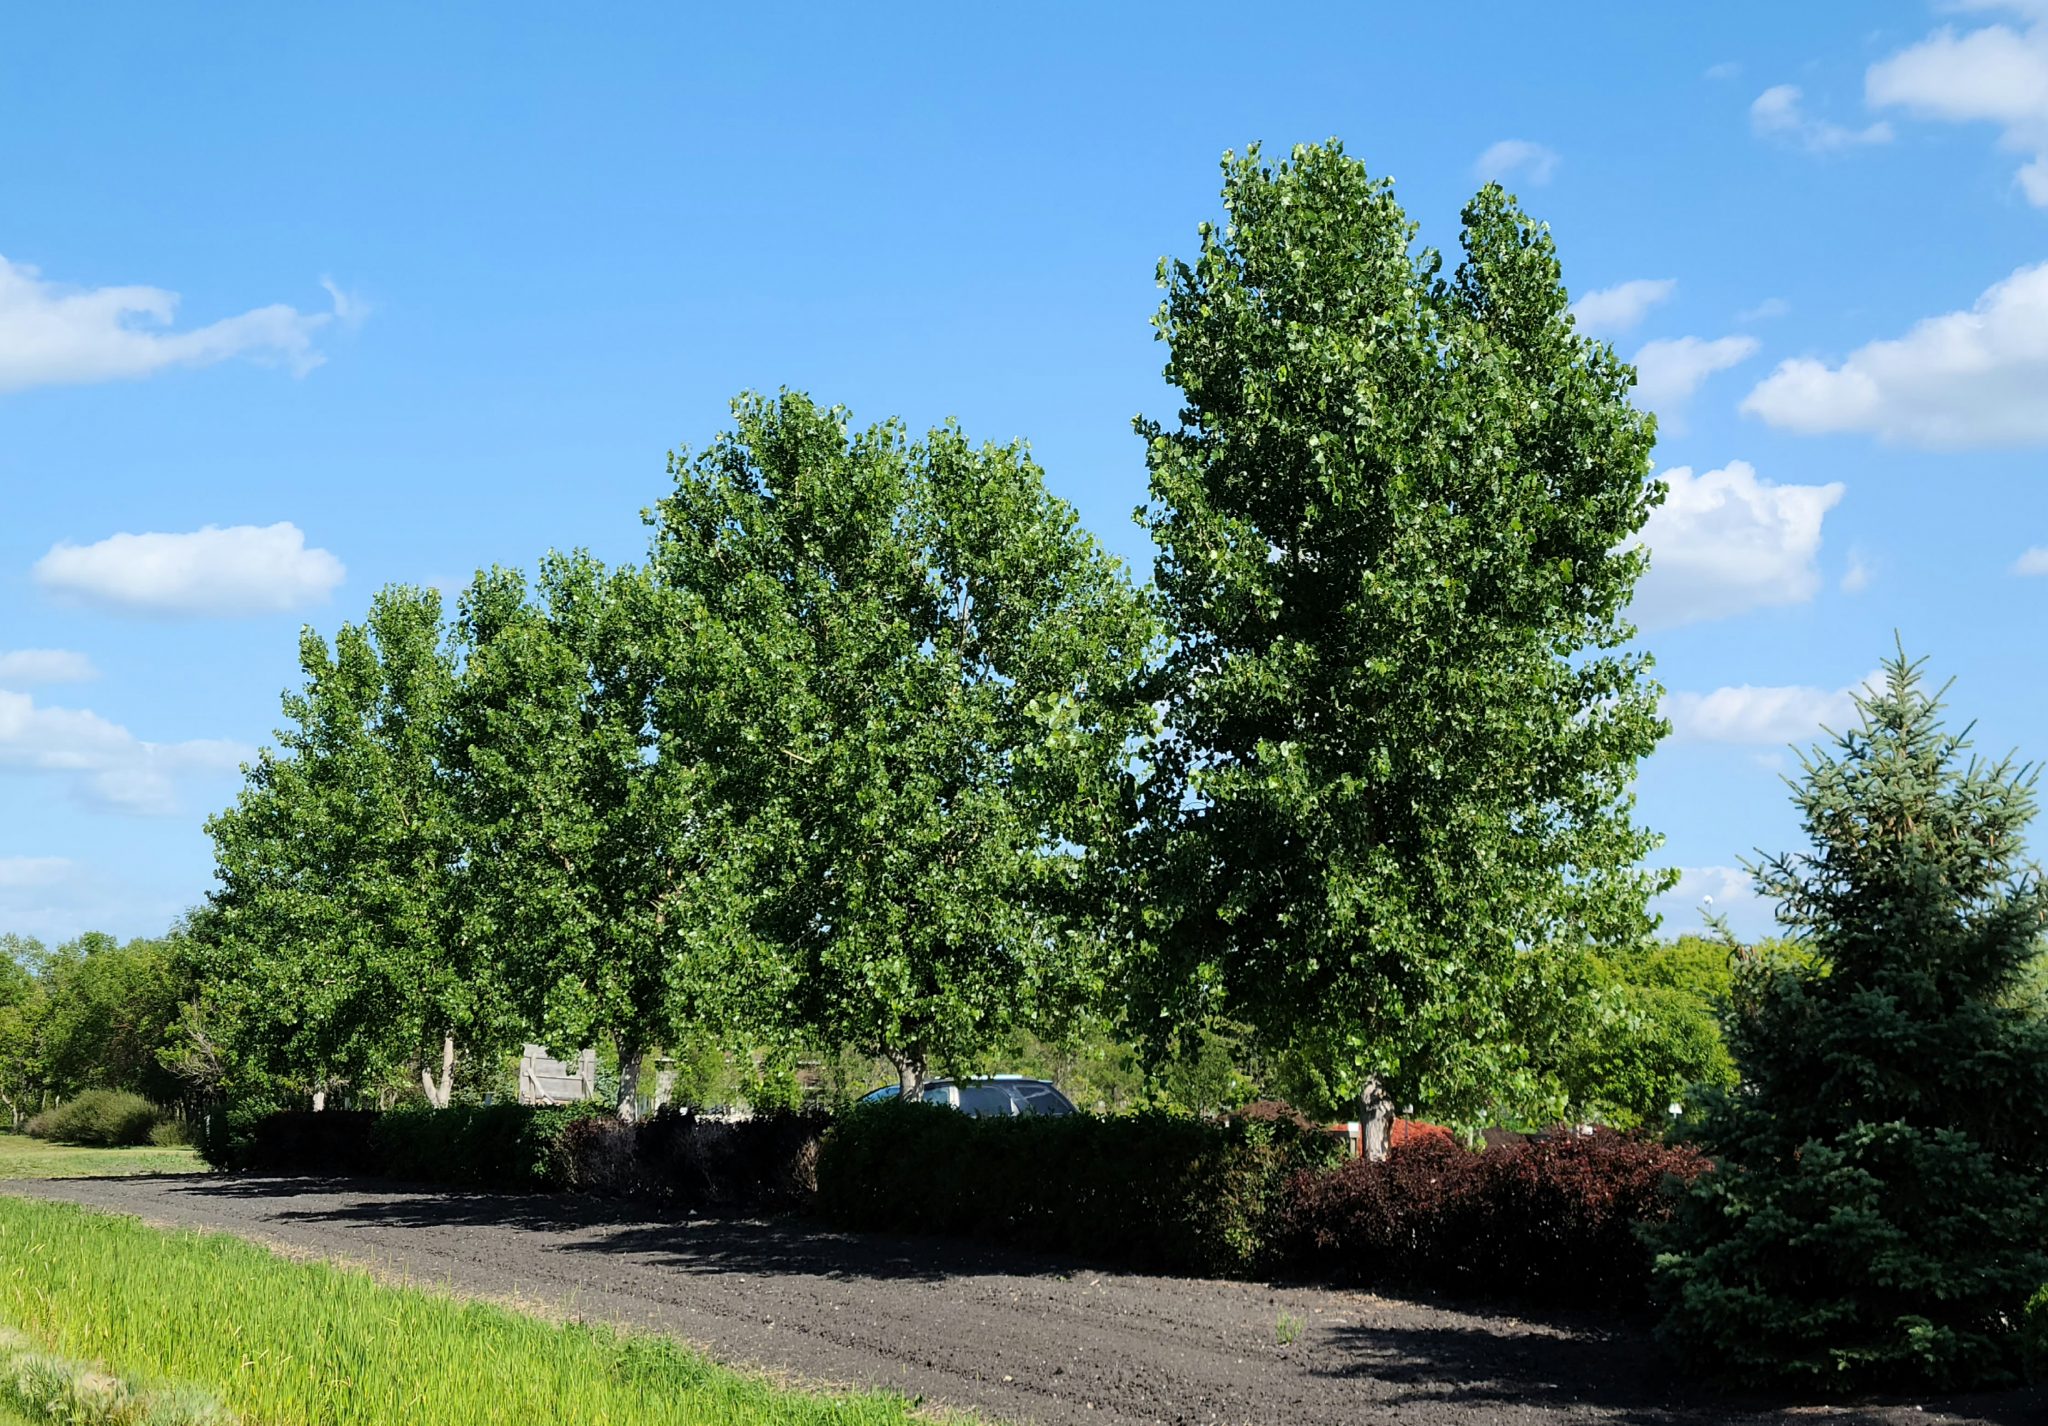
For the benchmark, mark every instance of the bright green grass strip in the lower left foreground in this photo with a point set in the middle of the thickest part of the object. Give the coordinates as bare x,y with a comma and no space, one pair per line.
300,1343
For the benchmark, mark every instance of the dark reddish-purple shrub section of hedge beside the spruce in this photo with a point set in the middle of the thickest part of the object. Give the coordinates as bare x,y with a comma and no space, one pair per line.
1553,1220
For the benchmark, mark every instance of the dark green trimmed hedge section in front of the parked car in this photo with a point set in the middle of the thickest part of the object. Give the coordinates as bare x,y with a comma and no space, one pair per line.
1156,1191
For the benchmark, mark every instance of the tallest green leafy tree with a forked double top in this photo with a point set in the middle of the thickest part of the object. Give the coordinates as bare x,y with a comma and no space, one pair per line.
1396,530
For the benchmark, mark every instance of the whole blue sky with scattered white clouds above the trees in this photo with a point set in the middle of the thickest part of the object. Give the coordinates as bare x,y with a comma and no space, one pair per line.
296,304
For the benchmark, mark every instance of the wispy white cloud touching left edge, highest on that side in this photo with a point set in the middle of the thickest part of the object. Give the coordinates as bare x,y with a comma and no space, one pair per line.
54,335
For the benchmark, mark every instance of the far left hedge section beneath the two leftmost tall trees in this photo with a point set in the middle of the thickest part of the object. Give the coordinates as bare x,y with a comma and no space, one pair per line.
519,1148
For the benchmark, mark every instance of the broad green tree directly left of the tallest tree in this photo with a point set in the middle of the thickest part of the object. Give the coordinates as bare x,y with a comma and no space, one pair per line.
908,679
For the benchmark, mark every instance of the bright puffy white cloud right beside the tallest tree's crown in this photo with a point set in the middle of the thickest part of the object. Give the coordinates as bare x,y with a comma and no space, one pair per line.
1727,542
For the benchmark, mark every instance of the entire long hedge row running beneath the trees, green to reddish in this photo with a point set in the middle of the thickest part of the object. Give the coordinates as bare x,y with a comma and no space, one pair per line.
1549,1222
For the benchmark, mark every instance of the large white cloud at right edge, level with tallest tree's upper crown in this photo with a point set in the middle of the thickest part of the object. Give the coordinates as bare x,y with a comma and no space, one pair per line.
1961,380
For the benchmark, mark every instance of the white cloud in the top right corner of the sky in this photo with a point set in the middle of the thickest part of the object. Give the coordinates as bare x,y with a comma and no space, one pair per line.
1992,75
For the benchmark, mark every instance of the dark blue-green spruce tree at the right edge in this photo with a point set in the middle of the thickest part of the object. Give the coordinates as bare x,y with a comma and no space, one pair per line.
1879,1212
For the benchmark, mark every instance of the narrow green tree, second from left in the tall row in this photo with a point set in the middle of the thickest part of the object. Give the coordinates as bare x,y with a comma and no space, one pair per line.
579,876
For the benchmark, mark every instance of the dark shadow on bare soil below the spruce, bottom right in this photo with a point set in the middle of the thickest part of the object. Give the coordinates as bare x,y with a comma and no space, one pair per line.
1615,1374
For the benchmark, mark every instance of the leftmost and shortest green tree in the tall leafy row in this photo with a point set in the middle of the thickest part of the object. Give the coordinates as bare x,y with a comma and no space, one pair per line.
335,943
